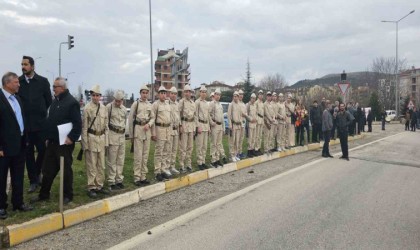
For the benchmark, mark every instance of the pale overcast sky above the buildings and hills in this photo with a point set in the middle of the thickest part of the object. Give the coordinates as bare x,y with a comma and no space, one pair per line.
299,39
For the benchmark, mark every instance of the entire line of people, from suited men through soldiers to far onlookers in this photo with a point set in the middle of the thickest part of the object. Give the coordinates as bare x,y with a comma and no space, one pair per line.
30,116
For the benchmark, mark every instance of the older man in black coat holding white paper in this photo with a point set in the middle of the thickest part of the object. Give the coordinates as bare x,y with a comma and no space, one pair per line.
64,121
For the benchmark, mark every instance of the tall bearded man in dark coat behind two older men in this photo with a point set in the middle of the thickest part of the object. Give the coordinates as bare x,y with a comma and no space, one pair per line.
36,98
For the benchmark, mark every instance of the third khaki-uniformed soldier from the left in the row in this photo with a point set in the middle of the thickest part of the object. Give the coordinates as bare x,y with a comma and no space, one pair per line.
140,122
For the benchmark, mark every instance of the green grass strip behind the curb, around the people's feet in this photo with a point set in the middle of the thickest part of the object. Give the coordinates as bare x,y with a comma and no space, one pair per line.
80,183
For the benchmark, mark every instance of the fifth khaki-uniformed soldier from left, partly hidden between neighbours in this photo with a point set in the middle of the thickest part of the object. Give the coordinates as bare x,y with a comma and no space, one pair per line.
174,138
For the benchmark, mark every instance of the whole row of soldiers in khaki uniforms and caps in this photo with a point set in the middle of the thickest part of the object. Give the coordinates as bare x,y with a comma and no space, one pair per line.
170,123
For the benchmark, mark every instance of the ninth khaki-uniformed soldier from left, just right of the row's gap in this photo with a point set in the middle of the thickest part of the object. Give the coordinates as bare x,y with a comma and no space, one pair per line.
235,126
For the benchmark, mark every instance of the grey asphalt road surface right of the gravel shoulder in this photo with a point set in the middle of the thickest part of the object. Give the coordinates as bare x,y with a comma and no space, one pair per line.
370,202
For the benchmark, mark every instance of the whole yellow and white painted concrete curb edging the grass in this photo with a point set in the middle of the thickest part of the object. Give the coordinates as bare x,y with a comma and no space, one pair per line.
16,234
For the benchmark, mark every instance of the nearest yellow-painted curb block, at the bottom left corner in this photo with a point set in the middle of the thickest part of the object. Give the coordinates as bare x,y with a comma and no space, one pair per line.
35,228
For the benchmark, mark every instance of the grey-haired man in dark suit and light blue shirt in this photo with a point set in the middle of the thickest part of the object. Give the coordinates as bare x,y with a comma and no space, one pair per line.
12,144
